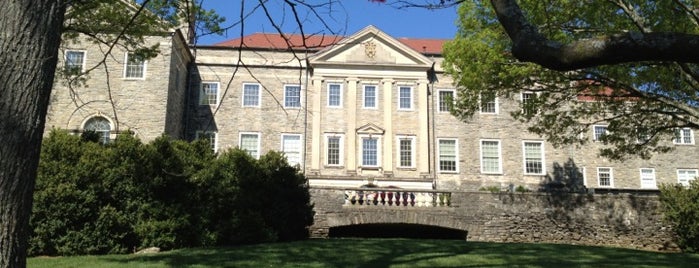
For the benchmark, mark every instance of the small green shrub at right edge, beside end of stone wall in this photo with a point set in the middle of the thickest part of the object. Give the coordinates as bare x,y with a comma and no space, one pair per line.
681,210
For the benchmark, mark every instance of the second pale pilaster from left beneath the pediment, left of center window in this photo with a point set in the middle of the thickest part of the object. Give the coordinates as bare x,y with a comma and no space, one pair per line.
351,135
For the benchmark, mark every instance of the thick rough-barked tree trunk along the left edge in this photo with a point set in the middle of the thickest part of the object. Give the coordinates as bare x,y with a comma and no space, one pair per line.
30,32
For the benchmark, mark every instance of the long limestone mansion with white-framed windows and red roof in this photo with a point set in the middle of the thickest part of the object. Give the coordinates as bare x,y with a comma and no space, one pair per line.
365,108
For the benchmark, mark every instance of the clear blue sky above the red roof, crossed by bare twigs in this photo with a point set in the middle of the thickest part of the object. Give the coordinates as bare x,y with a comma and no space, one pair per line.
346,18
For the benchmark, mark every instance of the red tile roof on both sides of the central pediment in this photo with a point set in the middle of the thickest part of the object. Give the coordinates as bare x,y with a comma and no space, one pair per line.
317,42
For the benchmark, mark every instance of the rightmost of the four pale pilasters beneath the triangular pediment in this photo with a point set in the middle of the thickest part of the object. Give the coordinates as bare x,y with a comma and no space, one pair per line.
423,138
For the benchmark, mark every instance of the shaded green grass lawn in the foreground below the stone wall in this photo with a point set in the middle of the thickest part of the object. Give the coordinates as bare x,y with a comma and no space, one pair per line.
384,253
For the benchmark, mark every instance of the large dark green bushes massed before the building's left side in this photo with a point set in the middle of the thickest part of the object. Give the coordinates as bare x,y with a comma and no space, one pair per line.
94,199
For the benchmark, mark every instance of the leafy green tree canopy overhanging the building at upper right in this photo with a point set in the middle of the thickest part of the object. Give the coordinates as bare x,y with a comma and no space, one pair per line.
643,103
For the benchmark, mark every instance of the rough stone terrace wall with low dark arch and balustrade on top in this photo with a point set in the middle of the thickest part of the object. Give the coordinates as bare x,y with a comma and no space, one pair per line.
624,220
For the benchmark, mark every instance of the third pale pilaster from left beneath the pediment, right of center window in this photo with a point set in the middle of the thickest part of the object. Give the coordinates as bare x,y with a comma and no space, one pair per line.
387,159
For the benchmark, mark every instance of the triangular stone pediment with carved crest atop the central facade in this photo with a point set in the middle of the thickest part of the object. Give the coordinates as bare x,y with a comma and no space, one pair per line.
370,46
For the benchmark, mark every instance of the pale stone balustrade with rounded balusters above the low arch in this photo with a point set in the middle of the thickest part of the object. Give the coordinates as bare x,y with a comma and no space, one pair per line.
396,197
